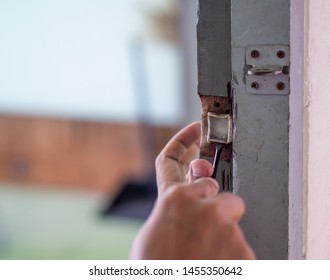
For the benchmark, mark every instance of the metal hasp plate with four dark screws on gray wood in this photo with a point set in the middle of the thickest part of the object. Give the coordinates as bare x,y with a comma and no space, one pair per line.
269,70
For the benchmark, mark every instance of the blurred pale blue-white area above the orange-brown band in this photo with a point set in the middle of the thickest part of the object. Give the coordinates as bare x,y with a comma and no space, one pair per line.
86,60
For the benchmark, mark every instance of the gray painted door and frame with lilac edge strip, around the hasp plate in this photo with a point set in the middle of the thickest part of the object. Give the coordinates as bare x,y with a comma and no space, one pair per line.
261,162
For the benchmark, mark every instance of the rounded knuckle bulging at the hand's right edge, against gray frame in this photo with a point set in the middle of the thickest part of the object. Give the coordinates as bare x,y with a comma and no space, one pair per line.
231,205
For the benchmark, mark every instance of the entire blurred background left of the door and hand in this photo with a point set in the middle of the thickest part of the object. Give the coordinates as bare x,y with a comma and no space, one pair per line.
90,92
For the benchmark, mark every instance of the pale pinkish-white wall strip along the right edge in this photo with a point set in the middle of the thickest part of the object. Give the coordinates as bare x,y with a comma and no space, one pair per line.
317,129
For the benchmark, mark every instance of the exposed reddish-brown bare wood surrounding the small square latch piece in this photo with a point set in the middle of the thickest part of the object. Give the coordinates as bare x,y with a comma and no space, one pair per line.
217,105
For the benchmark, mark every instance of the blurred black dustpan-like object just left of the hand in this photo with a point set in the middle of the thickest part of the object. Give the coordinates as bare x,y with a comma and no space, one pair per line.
136,199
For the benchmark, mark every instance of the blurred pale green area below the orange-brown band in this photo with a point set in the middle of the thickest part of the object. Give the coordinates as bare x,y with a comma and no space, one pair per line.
38,223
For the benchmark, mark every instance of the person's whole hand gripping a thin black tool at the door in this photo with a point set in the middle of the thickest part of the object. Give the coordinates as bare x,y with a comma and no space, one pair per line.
190,220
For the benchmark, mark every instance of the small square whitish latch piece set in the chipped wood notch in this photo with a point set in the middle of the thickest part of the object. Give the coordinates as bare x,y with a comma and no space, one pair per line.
219,128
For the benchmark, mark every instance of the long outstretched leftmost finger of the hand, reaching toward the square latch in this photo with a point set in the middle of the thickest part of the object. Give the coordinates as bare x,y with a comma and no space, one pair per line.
176,156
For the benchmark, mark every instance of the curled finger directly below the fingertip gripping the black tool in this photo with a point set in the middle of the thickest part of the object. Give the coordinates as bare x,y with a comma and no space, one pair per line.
204,187
